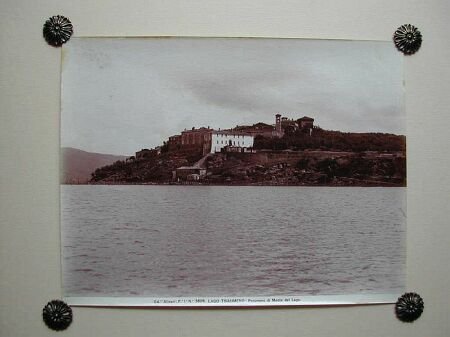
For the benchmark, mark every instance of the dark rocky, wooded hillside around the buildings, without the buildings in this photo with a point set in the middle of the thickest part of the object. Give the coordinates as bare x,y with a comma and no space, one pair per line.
317,157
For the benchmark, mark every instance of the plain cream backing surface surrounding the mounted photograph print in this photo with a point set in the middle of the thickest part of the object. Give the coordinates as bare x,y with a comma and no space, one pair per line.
29,159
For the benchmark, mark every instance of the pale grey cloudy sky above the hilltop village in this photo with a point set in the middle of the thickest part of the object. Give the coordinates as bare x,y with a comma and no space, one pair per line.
120,95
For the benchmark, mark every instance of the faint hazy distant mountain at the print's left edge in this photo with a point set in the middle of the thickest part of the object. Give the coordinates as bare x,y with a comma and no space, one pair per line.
77,165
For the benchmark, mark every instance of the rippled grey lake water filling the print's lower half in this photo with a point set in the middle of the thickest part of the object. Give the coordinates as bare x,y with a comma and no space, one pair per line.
171,241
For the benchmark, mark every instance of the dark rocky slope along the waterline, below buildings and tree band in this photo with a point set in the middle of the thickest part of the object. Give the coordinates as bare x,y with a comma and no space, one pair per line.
265,168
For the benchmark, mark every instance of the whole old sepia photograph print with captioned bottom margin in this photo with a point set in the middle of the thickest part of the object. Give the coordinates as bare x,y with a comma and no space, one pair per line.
232,172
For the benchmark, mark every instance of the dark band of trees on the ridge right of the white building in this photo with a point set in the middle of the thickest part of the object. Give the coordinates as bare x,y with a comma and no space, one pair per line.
332,140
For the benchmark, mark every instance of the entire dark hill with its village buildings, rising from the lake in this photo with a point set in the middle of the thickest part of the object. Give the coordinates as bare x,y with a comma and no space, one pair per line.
288,152
